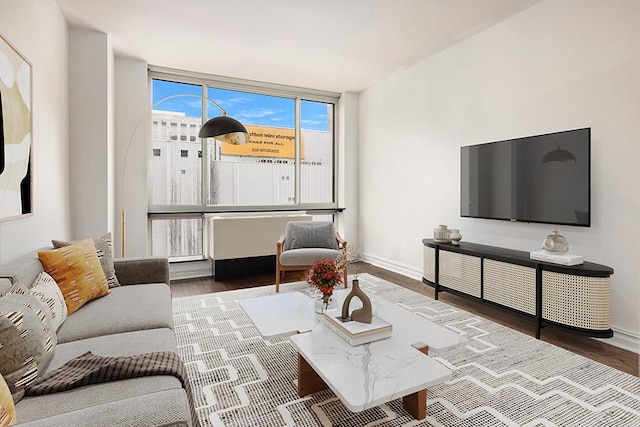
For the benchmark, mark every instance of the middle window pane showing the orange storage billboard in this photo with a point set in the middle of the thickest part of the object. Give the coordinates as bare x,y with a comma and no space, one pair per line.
254,174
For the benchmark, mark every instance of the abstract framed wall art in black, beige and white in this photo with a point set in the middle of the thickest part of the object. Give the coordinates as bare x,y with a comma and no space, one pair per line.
15,133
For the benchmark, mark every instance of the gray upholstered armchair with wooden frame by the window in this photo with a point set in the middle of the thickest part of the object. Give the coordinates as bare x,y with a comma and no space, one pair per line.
303,242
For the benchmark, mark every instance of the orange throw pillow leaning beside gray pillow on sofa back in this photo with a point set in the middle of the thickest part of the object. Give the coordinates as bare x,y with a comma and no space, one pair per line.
77,271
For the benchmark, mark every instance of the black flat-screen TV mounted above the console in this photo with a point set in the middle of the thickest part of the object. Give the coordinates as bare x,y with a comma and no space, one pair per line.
544,179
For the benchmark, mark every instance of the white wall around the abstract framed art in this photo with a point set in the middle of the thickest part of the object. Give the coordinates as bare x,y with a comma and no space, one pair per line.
38,30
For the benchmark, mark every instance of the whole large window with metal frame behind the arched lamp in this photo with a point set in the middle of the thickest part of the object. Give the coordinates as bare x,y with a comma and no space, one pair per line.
288,164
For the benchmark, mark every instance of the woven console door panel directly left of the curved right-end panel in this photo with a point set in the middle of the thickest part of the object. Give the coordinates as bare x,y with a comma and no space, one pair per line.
511,285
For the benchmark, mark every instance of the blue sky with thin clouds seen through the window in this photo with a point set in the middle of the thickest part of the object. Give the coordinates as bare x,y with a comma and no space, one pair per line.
248,108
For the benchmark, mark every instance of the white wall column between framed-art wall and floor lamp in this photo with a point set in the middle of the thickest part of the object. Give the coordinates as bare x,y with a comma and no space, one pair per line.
91,132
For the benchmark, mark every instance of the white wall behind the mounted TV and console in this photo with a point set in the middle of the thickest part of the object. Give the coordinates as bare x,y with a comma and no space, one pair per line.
555,66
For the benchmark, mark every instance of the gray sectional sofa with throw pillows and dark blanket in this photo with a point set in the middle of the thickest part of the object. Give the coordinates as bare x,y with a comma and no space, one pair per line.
134,318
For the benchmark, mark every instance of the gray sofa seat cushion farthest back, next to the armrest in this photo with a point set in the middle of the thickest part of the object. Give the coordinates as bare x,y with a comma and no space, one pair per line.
125,309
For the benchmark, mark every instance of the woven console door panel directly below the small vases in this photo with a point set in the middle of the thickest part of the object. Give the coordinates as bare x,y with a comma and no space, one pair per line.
460,272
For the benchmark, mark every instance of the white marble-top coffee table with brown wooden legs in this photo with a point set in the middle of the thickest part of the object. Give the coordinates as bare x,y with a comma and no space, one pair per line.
362,376
